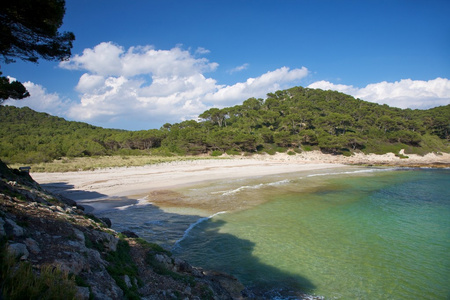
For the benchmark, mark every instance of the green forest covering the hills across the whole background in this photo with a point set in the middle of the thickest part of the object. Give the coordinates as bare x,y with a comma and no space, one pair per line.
294,120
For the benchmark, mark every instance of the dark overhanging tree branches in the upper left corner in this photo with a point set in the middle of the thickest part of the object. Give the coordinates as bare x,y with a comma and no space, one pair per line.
29,31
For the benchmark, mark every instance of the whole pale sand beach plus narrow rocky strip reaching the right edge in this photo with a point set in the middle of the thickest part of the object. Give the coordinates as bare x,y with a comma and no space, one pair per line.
139,180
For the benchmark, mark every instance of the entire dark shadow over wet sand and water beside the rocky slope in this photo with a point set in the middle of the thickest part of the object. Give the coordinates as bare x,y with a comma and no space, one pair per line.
197,240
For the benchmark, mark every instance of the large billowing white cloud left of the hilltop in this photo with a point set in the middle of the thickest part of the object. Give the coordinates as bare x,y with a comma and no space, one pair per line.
144,84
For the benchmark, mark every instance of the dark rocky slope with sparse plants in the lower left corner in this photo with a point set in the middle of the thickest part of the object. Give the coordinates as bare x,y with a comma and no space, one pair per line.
53,234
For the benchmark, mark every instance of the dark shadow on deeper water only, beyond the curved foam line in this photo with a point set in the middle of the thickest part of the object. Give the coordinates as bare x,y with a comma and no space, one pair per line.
215,250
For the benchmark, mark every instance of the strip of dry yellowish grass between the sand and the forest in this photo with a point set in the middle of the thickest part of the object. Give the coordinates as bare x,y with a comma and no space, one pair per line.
101,162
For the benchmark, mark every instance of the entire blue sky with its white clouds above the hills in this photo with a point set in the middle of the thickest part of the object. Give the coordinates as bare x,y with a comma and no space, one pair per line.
139,64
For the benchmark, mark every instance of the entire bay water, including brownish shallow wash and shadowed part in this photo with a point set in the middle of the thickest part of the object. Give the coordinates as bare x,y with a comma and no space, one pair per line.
346,233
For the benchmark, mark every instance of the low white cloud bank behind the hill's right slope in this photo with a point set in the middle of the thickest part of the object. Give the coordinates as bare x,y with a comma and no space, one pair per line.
406,93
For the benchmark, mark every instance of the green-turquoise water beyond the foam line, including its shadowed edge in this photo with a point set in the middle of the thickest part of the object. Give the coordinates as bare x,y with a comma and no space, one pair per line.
360,235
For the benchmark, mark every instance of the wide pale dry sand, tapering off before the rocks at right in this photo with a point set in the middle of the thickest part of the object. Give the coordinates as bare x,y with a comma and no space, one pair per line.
133,181
